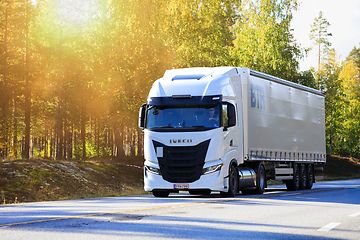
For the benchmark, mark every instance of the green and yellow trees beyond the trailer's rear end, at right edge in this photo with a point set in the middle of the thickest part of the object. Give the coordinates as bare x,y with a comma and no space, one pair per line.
341,82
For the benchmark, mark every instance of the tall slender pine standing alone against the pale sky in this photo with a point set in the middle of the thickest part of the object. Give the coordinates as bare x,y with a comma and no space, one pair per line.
319,35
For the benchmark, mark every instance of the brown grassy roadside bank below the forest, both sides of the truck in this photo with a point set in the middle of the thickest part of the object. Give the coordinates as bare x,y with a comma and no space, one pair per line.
43,180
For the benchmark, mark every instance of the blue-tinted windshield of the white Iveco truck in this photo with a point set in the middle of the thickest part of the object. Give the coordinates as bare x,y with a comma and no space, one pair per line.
197,117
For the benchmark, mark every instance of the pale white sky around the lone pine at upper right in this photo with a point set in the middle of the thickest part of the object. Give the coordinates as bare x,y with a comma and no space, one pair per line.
344,17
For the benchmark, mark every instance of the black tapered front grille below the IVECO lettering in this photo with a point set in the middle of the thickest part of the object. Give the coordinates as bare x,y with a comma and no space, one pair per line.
182,164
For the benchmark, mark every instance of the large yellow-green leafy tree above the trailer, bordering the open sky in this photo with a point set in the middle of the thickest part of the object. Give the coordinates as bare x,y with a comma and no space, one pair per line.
264,41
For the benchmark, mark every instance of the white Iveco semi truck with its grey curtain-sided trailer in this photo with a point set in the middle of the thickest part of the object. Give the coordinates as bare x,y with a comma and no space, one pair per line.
229,129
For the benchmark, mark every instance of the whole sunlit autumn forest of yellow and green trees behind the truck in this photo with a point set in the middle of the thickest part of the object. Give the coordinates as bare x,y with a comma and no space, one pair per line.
73,73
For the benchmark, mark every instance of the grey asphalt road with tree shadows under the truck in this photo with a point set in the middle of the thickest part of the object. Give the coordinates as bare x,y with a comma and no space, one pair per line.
331,210
